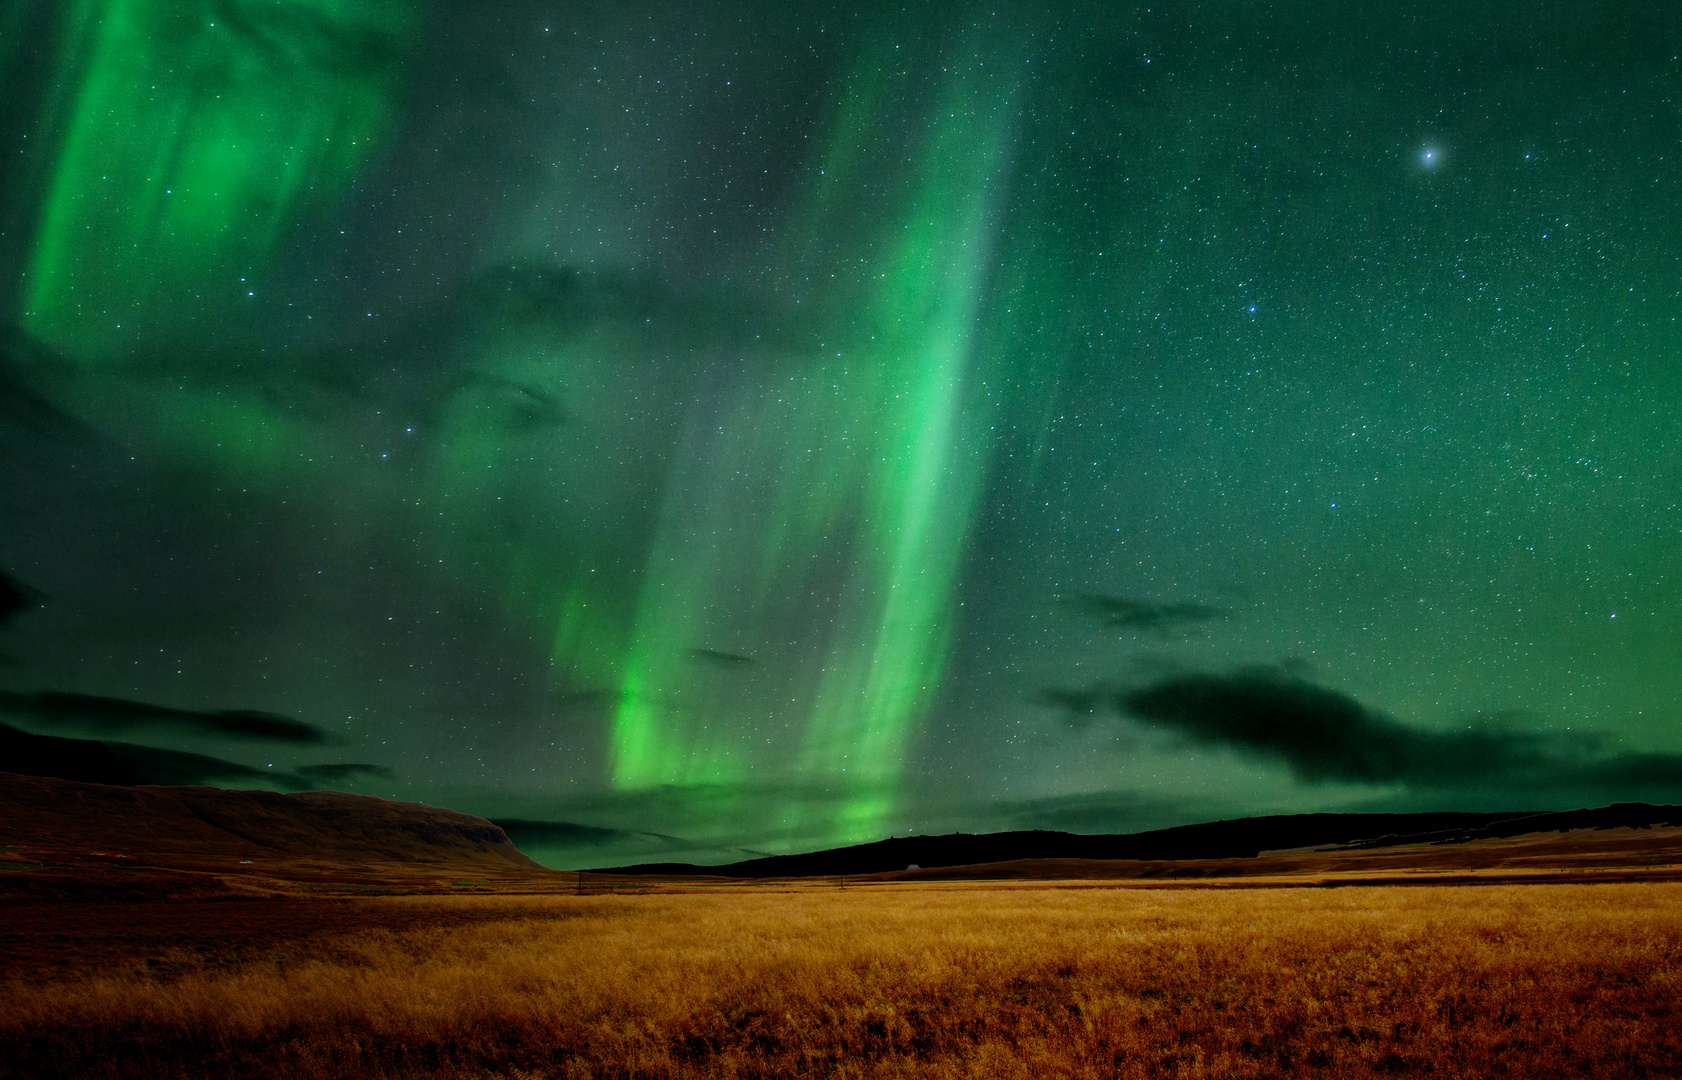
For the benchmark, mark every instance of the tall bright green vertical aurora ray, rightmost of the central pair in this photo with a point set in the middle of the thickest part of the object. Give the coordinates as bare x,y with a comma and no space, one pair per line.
926,470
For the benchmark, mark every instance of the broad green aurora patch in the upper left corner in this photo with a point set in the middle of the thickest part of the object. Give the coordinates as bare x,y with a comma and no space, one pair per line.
199,134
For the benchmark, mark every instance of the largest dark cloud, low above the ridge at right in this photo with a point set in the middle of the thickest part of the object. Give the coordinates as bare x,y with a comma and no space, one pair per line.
1326,736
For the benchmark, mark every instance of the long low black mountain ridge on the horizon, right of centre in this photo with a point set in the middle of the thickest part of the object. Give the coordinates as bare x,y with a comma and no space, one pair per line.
1239,839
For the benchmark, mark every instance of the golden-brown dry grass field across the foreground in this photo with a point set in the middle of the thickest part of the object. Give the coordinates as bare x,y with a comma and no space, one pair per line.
882,982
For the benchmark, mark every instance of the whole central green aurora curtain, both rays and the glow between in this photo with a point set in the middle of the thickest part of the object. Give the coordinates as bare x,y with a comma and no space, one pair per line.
817,524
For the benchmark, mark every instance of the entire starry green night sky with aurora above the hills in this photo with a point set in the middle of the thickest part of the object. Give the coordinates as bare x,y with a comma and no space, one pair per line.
744,428
